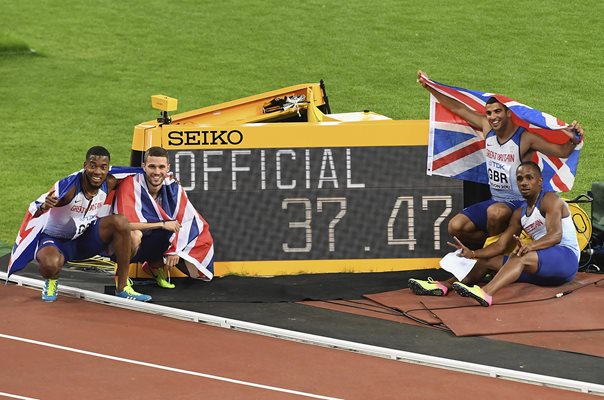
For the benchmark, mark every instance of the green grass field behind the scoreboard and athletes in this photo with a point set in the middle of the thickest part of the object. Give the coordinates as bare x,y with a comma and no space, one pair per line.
102,61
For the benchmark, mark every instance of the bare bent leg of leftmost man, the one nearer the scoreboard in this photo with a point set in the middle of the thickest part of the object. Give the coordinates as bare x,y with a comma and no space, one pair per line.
115,229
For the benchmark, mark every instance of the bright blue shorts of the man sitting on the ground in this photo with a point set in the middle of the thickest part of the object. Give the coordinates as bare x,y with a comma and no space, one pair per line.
556,265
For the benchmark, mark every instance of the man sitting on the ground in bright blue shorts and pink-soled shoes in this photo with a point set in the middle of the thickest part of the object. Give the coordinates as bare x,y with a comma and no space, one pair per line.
550,259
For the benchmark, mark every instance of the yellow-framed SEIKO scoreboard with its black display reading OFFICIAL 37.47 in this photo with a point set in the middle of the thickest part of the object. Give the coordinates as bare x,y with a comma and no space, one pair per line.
313,197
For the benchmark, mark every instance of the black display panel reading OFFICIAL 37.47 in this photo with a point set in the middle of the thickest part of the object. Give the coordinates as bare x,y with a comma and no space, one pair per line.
319,203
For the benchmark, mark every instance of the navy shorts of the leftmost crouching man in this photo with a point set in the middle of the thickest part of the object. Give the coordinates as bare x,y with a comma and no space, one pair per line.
87,245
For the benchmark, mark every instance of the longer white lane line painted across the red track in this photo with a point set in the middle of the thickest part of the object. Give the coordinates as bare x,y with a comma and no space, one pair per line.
165,368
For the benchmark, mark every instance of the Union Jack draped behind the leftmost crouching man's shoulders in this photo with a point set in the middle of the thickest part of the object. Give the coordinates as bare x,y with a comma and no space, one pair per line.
26,243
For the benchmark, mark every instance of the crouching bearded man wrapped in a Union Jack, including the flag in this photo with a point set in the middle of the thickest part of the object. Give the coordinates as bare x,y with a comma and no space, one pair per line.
165,225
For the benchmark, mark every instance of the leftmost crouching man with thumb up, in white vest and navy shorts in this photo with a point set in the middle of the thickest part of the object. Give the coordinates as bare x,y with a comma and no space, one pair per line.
73,230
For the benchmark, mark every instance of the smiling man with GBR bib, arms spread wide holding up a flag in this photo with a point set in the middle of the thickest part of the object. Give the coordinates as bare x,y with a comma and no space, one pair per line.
506,146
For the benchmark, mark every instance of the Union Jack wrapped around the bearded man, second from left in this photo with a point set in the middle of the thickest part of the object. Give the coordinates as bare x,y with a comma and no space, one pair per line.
192,243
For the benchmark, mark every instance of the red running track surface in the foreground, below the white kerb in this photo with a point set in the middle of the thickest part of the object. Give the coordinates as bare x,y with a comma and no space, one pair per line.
35,370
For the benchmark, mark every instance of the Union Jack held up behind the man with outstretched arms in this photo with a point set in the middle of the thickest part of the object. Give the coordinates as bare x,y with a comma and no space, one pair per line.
456,149
